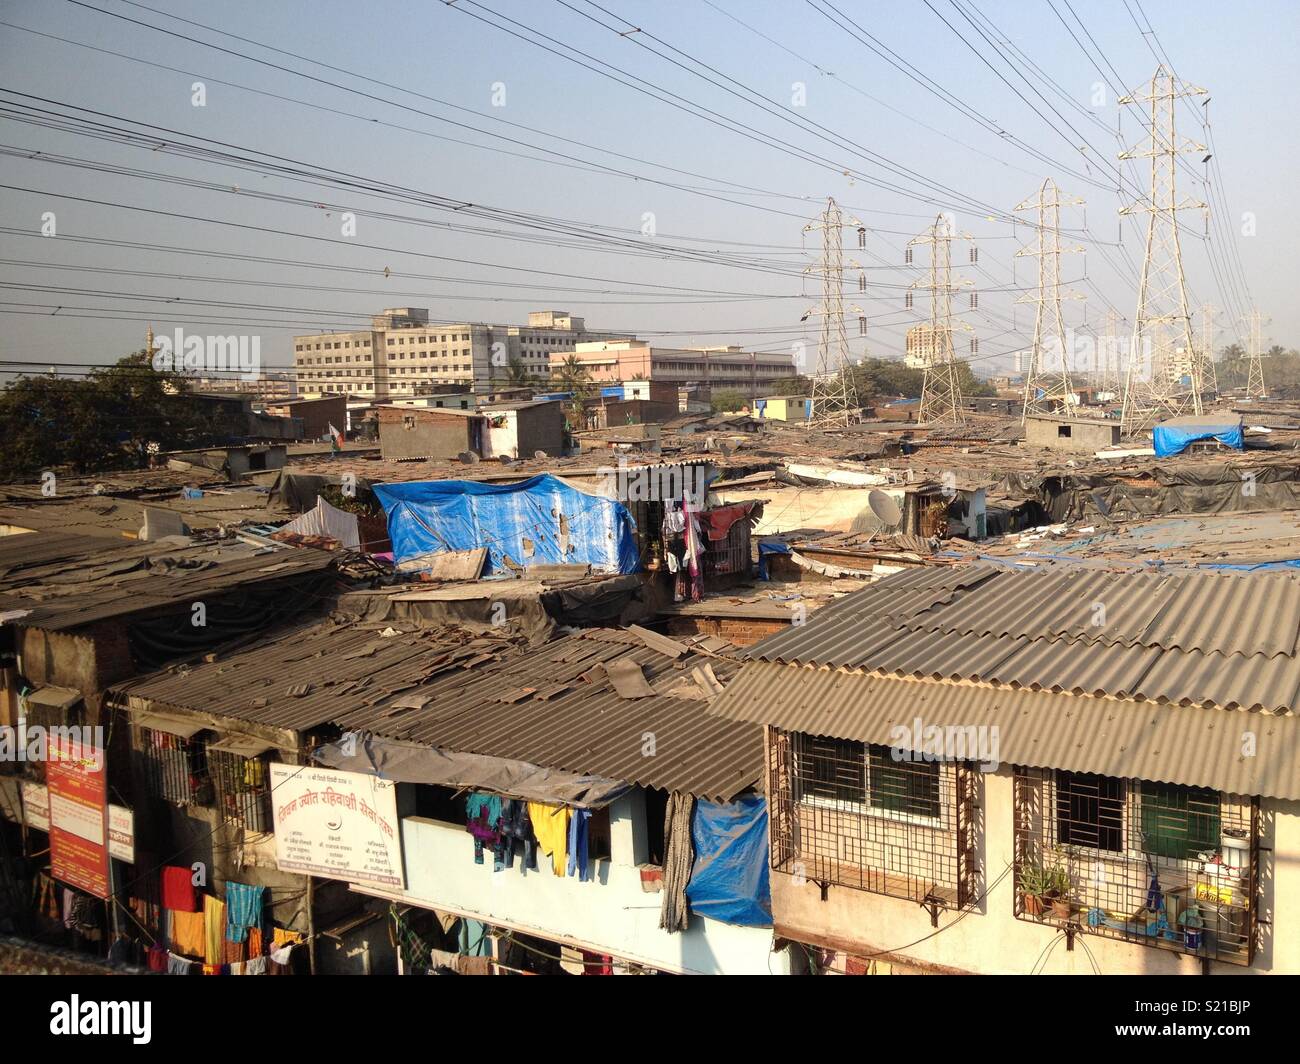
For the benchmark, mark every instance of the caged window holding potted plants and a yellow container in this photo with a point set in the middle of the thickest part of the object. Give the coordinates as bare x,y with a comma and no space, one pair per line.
1169,867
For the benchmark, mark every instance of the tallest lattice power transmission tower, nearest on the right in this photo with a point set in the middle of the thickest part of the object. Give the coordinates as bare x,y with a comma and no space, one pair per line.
1163,325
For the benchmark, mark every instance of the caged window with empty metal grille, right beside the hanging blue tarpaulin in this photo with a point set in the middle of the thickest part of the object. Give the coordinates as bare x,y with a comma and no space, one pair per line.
848,814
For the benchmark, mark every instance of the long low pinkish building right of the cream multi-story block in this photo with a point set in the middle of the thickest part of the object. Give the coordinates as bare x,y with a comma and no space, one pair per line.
717,367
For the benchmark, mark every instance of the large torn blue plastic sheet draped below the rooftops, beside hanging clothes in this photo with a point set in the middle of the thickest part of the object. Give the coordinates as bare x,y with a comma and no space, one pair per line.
561,524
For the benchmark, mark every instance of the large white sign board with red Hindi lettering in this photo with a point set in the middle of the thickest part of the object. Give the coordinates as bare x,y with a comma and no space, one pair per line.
343,825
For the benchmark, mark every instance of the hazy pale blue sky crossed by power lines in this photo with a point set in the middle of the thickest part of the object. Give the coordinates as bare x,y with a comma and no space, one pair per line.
271,170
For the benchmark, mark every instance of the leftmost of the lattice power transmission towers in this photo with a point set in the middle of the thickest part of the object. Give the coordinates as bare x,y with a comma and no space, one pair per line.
835,400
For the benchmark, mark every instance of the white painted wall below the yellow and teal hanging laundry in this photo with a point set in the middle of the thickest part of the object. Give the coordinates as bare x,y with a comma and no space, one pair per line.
609,915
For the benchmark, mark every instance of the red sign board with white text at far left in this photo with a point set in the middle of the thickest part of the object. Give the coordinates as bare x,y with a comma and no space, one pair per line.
79,818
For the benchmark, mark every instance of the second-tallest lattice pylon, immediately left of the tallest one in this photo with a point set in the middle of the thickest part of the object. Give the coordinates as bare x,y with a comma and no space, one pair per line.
1046,388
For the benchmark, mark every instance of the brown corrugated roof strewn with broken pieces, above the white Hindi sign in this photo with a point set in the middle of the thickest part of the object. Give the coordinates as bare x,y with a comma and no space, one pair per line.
552,706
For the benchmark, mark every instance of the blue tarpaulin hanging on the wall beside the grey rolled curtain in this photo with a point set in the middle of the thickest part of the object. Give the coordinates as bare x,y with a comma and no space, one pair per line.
729,881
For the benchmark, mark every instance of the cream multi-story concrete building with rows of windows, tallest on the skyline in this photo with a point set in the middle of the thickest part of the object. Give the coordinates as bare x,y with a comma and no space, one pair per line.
405,354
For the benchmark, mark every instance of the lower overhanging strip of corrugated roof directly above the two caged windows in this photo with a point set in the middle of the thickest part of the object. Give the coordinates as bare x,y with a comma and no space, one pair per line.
1189,746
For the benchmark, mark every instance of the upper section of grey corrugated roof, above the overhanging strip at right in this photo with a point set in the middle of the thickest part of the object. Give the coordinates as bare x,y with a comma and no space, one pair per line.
1223,639
